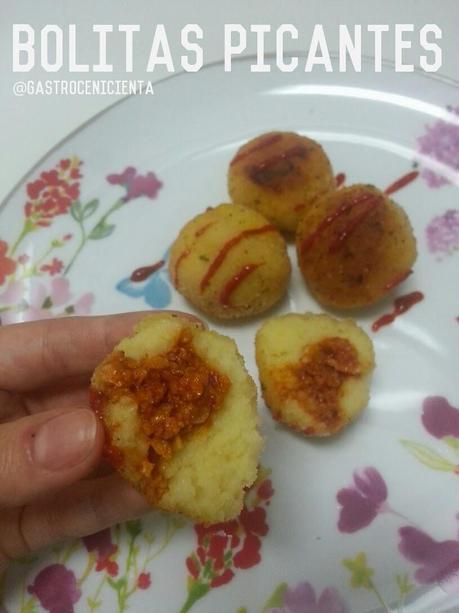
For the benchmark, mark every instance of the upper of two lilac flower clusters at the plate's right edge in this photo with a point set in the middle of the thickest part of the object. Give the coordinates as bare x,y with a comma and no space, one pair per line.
440,142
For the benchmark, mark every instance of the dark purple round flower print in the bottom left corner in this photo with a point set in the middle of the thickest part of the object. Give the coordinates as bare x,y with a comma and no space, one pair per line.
56,588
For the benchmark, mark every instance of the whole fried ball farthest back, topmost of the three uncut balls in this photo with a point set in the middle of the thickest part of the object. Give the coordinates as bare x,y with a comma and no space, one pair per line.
279,174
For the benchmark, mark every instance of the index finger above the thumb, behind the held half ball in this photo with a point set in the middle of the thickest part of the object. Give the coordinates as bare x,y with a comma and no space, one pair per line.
37,353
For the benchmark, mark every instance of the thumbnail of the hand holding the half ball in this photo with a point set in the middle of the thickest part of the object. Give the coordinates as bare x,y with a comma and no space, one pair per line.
65,441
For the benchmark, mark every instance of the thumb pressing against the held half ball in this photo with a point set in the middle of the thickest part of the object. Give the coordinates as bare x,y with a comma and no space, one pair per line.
45,452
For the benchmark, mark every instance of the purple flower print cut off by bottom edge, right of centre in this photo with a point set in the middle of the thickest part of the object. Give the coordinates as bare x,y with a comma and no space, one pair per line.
302,599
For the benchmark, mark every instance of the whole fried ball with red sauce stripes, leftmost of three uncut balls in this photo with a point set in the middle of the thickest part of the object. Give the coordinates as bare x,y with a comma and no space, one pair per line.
230,262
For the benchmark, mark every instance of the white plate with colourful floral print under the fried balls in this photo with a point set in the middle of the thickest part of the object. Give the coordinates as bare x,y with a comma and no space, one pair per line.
316,537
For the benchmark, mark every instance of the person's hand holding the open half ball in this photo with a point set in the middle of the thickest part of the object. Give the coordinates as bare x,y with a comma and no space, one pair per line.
50,441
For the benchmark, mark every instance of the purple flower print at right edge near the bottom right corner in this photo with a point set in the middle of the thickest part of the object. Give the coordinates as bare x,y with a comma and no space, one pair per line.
438,561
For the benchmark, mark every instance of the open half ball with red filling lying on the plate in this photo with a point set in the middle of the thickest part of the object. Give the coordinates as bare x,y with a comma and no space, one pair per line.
314,371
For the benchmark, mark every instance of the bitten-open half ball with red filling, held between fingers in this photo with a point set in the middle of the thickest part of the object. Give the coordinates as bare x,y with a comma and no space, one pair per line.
179,412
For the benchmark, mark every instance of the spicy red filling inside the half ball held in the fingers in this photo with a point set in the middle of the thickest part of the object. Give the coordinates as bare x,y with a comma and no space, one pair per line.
174,392
